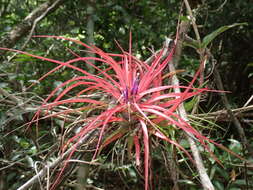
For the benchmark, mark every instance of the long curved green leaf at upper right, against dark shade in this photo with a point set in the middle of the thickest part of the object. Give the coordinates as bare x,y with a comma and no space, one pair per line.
209,38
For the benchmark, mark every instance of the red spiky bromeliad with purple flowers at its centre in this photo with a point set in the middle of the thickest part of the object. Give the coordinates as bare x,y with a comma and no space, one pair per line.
137,100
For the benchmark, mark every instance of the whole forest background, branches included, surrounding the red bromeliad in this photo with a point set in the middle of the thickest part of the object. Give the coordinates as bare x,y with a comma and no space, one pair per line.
226,118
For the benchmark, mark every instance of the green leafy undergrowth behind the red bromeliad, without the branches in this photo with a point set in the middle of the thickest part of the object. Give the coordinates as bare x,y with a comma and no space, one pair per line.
149,21
